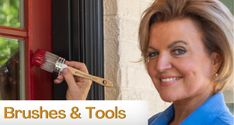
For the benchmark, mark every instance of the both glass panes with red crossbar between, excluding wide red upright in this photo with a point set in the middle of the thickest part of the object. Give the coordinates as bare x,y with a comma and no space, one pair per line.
11,50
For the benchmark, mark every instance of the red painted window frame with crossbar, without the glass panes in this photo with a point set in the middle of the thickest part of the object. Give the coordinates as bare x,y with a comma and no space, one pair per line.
36,34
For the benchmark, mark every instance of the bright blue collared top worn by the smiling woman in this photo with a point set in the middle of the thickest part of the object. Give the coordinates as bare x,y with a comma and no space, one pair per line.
212,112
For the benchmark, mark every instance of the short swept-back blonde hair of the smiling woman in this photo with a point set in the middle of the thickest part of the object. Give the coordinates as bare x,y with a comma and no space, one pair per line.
213,19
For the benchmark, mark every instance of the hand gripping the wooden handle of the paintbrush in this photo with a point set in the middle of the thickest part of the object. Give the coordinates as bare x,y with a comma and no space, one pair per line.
78,87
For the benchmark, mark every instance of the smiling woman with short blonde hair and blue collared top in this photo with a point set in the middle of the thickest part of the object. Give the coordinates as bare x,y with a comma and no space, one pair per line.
188,49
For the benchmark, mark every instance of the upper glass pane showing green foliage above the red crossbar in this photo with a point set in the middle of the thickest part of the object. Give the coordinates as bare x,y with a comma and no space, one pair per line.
11,13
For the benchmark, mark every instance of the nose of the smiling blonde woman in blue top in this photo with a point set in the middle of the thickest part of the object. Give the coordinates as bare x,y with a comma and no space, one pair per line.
163,63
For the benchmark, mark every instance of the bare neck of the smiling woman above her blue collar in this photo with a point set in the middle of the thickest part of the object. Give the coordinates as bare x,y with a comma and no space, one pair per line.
184,108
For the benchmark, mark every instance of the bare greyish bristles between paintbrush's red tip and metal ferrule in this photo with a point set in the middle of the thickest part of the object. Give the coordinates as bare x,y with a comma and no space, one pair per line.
50,60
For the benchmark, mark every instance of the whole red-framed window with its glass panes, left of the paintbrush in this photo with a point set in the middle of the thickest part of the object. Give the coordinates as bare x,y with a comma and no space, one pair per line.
22,31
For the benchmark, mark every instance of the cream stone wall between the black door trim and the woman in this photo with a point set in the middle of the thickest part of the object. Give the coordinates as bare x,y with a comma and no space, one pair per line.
122,54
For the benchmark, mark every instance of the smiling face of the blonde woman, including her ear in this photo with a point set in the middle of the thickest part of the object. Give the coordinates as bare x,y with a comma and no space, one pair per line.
179,64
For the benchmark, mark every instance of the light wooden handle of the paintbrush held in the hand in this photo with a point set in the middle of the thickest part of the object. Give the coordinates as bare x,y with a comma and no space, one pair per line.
96,79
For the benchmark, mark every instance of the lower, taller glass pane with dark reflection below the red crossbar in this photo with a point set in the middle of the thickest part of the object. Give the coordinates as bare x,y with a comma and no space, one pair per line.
11,69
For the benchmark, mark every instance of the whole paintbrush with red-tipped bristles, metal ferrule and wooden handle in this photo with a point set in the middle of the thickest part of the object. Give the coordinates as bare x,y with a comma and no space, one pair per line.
53,63
